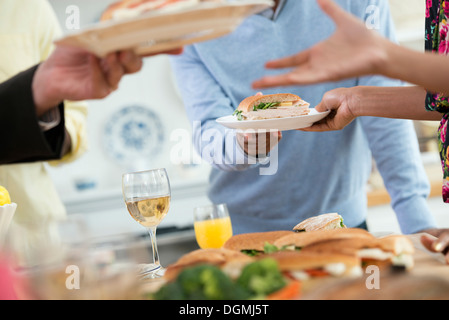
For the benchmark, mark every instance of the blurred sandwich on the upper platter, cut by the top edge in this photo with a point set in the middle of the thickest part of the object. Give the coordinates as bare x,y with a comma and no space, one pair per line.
133,8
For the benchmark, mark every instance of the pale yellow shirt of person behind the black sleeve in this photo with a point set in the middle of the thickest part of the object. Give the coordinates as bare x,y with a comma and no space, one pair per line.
27,31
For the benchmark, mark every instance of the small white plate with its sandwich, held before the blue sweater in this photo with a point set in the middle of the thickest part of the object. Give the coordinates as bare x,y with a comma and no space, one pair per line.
281,112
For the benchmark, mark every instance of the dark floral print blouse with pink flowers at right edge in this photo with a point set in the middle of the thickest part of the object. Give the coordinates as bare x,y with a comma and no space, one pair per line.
437,40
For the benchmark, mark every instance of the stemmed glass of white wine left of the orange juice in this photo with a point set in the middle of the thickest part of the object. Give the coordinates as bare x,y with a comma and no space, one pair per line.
147,197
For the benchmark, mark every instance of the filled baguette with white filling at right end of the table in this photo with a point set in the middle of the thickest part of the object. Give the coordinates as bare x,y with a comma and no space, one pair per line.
394,250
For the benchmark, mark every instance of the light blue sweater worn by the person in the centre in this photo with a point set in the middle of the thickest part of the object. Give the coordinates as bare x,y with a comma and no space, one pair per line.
314,173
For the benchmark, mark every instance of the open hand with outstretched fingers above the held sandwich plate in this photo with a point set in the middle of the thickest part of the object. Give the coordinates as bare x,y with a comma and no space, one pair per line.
353,50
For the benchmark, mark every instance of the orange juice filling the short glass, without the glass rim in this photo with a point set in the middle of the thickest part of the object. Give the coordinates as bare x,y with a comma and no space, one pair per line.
213,233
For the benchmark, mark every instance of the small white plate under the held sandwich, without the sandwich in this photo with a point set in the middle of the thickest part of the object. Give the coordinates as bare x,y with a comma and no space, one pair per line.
281,124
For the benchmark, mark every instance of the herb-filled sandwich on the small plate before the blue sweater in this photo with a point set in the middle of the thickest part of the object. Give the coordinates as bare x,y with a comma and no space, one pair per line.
261,107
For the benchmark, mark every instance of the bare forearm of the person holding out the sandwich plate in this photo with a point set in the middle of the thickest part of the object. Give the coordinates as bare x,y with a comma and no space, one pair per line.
391,102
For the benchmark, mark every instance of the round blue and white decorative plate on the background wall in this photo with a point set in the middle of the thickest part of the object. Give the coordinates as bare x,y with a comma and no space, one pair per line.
134,137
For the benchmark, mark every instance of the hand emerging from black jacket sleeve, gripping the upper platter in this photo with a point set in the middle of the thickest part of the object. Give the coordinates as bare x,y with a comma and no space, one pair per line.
75,74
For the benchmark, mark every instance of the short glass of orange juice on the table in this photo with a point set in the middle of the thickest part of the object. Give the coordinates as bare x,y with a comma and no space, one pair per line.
212,226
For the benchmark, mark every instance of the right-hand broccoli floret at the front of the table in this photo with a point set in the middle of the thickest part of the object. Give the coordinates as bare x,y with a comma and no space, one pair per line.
262,277
